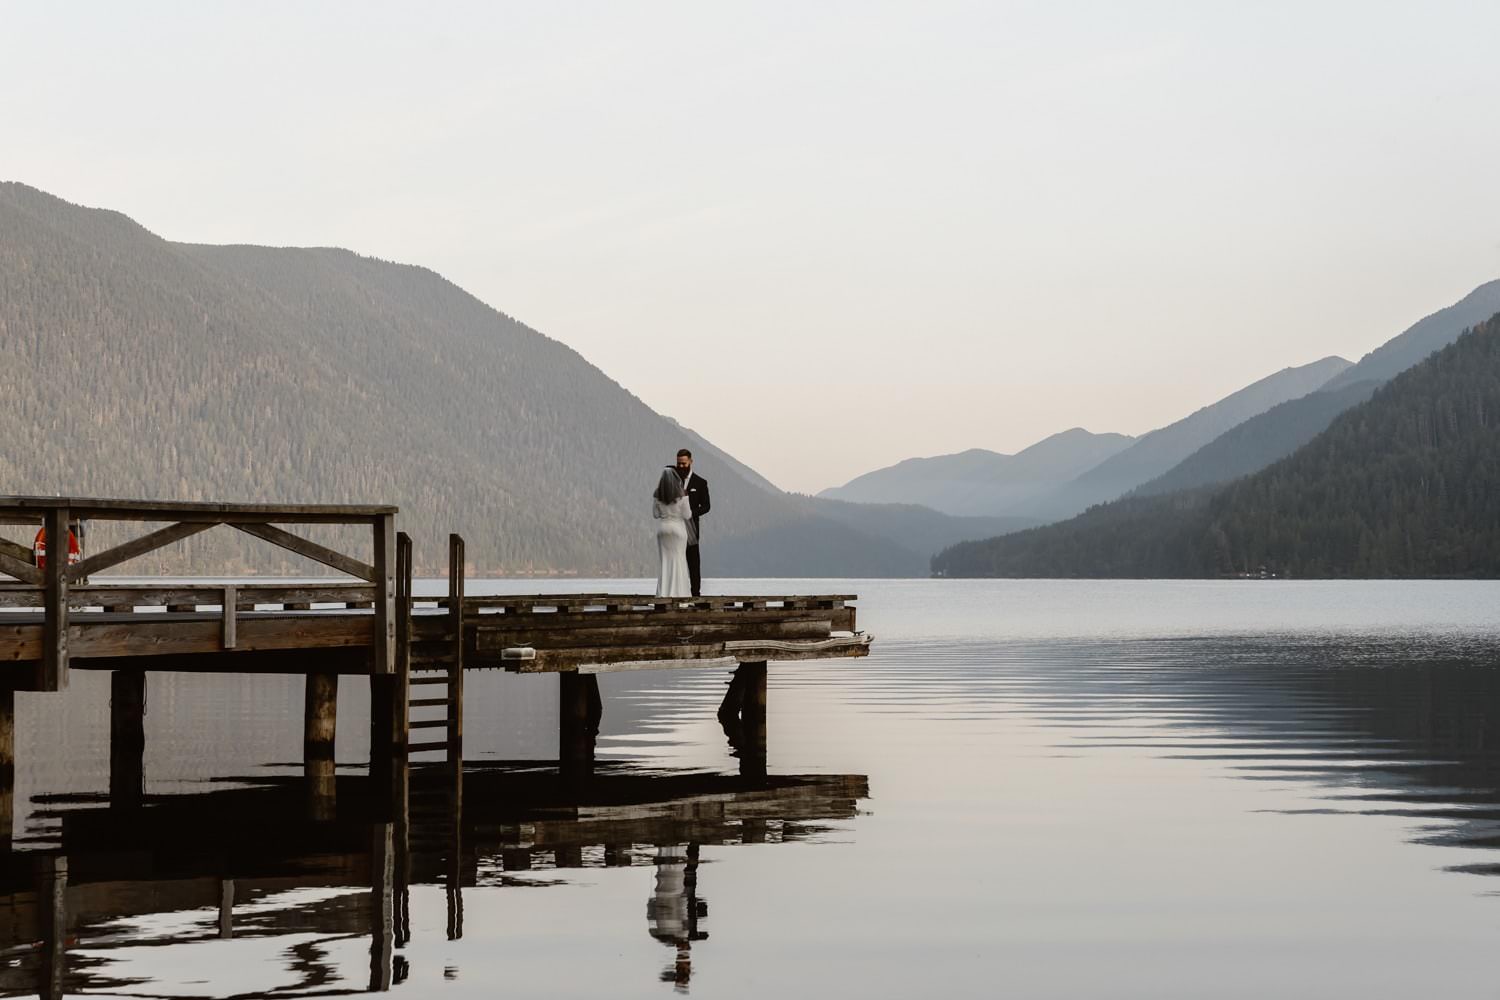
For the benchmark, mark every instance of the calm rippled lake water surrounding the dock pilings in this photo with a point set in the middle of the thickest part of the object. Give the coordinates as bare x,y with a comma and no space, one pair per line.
1033,789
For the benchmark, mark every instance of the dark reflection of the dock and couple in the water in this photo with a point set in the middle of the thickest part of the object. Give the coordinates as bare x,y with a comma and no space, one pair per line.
265,861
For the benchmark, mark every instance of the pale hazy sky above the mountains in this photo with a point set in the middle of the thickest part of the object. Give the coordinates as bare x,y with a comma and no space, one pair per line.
827,236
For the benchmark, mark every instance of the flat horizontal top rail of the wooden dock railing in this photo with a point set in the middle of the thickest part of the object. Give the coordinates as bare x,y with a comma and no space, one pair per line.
29,510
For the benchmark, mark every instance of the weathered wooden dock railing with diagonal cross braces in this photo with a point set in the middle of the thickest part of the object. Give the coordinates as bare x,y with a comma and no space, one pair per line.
52,587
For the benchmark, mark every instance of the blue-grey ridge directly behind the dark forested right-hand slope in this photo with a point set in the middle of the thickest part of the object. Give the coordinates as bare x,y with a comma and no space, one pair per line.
1283,430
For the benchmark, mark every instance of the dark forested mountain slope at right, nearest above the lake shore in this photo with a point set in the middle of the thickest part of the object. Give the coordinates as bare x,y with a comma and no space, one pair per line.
1406,485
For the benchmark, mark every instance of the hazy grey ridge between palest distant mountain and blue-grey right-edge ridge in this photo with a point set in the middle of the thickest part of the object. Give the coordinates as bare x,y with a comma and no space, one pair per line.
1160,451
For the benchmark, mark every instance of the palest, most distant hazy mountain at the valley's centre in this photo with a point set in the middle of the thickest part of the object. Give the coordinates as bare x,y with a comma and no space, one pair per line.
979,482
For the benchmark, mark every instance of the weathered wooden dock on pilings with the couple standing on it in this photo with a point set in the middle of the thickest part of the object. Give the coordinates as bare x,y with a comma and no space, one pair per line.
413,648
